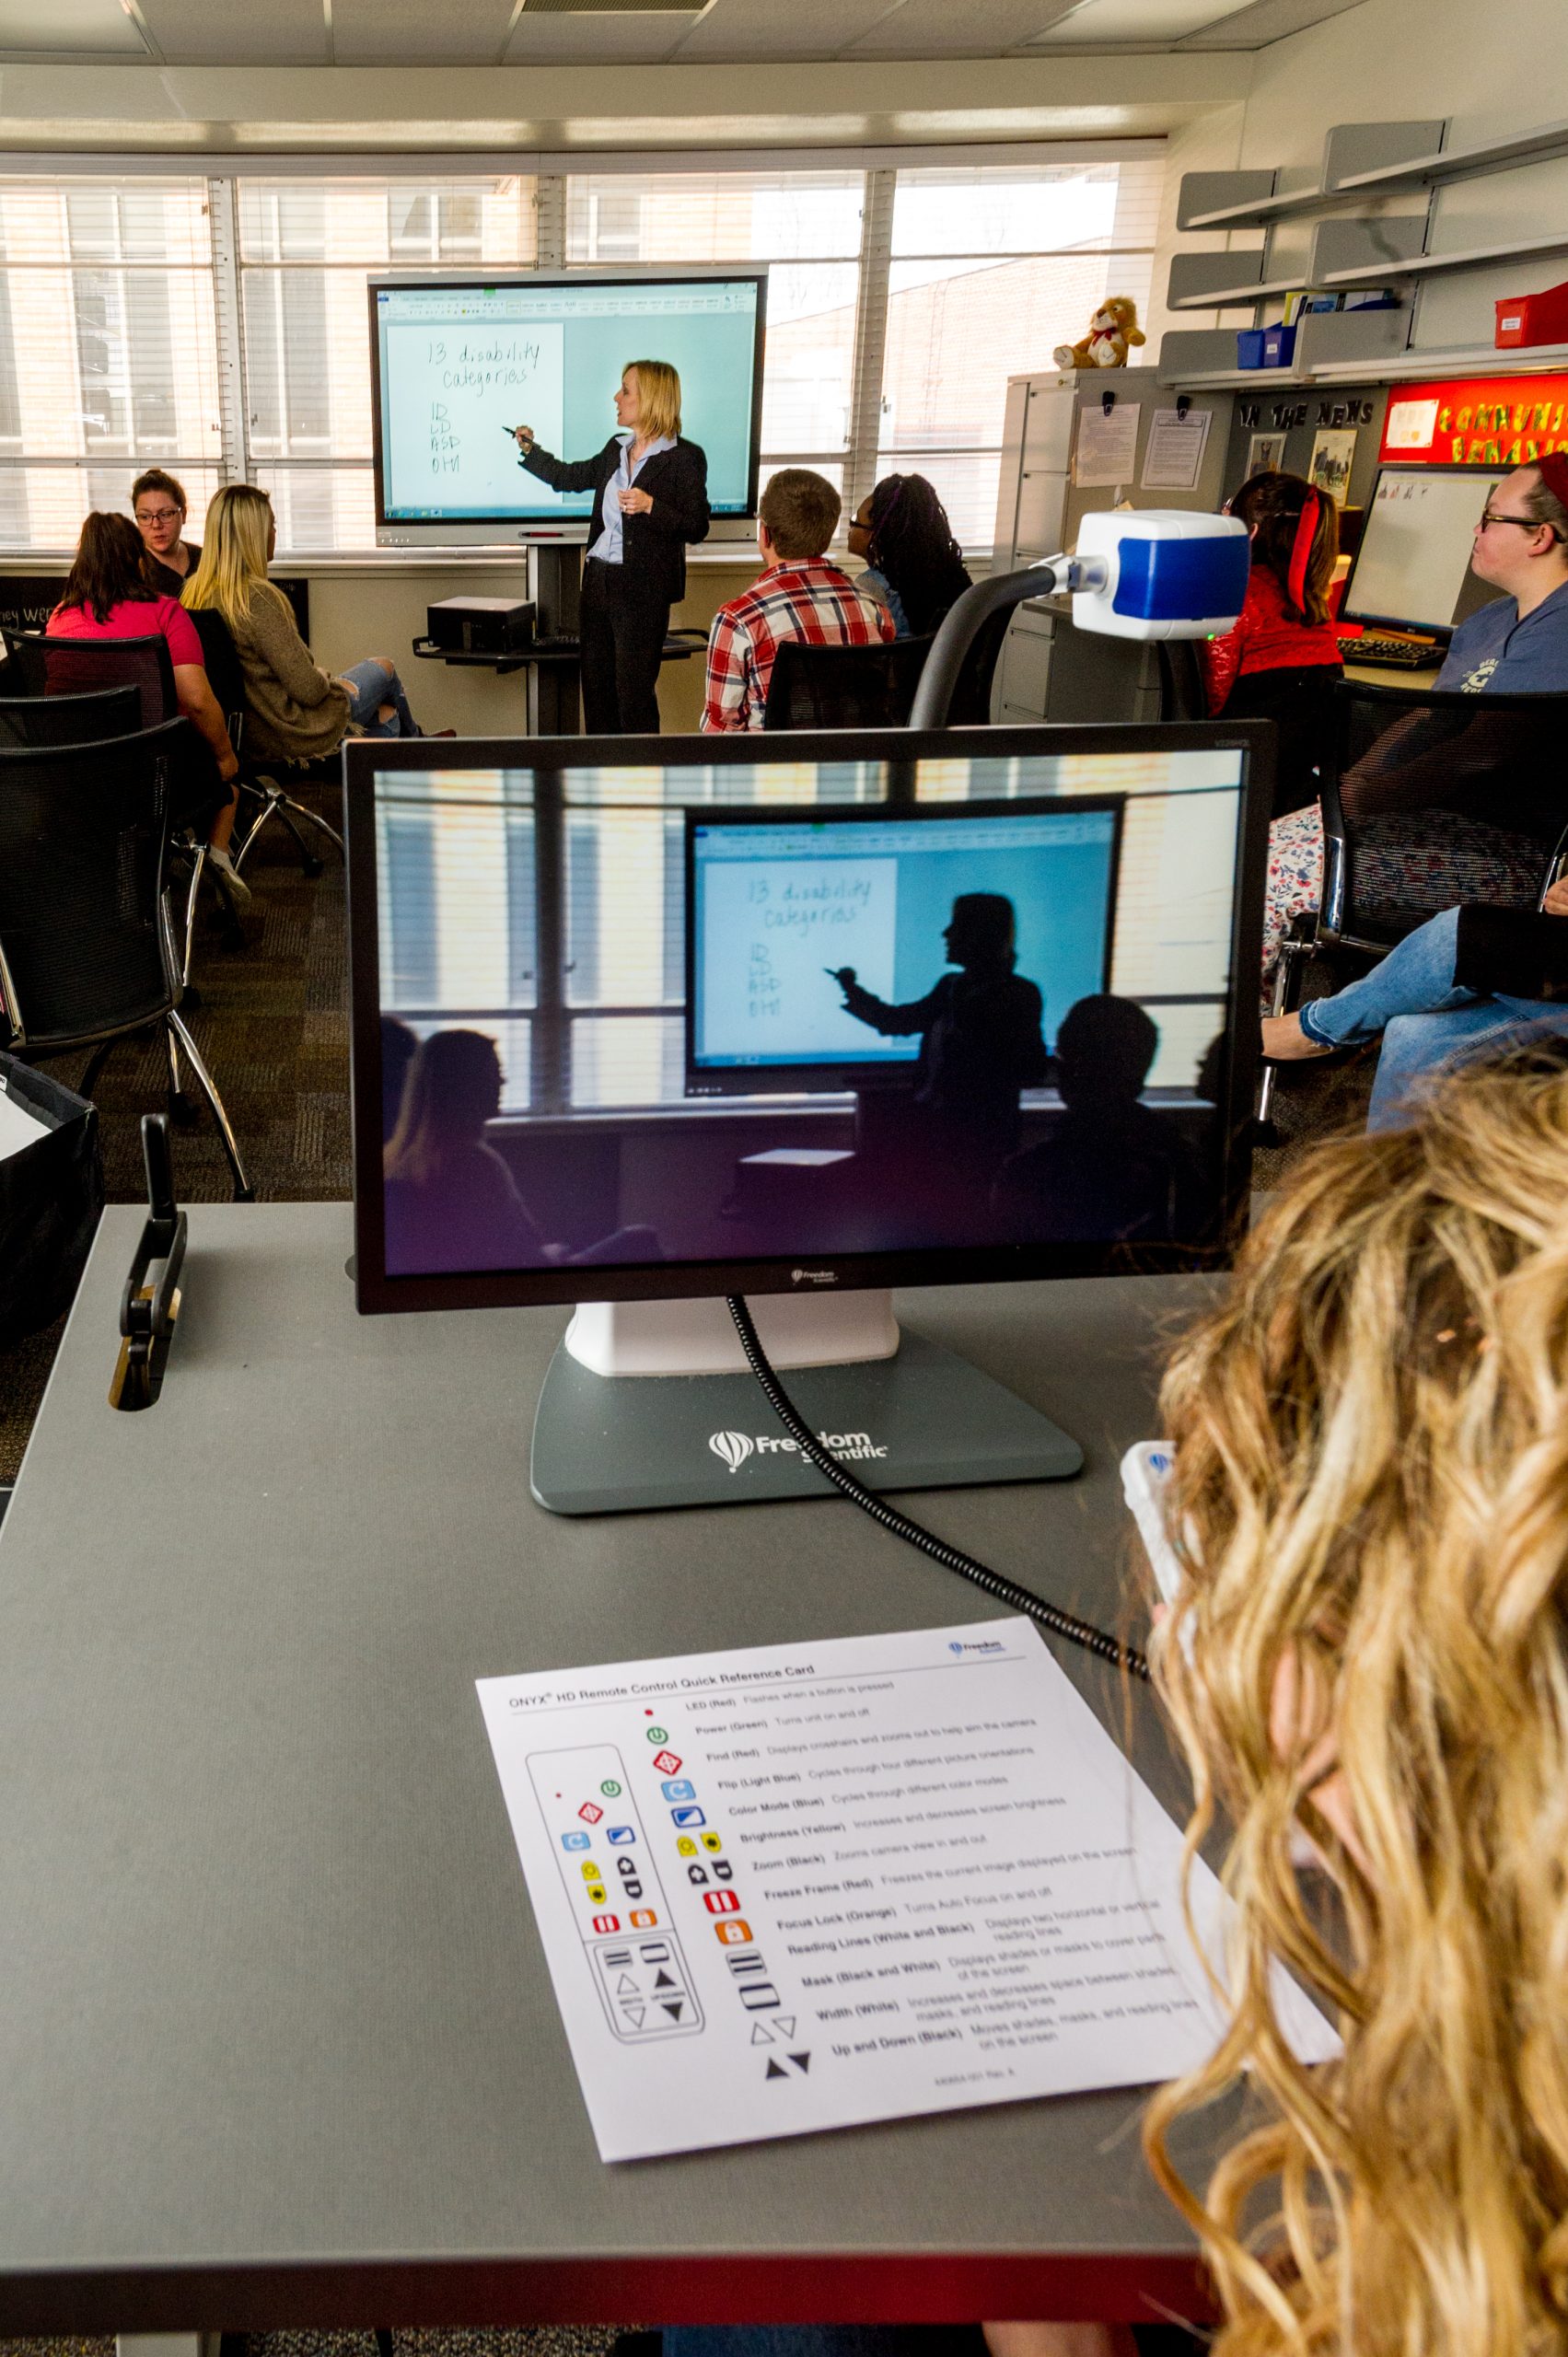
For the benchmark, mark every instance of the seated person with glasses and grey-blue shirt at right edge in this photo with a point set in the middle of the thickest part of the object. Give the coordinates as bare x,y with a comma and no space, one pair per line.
1458,817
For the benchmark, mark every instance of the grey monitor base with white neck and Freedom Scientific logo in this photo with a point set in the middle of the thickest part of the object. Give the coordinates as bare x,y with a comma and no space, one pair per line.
650,1404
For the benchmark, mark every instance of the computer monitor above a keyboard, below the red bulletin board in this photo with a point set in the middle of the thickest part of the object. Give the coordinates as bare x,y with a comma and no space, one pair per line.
1414,560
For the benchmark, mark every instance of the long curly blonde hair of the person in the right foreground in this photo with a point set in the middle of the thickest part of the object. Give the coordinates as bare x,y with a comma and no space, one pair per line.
1373,1498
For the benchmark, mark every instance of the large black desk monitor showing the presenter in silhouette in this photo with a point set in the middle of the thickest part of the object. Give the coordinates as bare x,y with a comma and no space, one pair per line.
690,1017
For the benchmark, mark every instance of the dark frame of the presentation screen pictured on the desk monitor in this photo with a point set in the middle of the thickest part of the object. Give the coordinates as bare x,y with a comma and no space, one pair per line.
848,1074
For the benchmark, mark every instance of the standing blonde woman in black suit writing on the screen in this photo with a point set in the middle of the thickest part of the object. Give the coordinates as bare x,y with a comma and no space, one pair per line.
650,501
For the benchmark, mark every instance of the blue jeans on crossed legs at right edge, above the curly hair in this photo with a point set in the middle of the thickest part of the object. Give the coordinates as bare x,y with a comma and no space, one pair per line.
1428,1024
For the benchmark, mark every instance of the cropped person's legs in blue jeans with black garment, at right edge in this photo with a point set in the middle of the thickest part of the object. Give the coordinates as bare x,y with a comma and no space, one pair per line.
1439,998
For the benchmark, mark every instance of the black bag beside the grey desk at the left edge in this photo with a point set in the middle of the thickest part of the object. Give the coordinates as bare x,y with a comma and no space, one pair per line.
51,1201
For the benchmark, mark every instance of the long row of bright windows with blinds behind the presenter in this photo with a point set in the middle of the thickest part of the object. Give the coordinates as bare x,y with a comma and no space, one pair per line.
876,359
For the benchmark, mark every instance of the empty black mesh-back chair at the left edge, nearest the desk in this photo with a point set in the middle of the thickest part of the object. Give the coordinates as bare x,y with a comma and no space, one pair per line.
86,932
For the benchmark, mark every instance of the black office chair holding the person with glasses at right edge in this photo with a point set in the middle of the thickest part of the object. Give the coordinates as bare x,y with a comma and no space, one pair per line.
1352,932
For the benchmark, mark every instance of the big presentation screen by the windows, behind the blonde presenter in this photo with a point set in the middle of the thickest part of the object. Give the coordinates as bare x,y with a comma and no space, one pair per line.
456,364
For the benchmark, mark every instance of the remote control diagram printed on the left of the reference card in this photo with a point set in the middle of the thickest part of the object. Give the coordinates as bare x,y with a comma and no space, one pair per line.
614,1891
